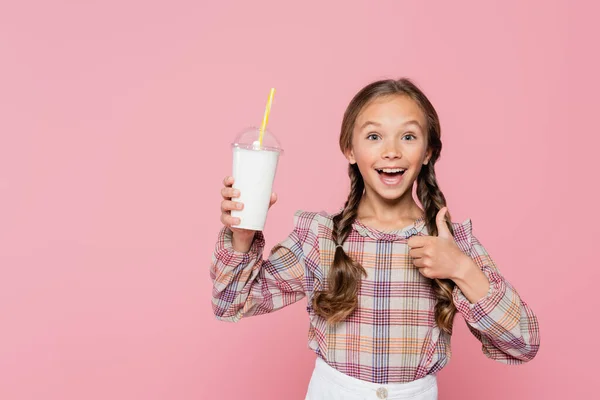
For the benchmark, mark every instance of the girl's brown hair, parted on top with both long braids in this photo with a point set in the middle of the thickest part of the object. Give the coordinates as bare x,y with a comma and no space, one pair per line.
341,298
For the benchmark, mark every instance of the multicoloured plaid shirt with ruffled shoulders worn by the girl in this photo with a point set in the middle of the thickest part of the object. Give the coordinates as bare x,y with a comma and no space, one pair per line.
392,336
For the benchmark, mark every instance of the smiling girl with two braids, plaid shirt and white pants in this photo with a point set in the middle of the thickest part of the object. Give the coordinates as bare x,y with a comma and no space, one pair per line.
383,277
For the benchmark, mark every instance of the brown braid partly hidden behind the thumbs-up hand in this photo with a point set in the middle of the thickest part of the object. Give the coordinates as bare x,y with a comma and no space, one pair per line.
433,200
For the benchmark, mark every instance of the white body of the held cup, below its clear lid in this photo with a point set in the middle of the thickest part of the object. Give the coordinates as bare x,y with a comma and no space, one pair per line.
253,173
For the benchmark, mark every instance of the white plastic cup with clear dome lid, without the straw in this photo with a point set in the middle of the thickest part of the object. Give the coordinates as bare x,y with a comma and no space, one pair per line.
254,168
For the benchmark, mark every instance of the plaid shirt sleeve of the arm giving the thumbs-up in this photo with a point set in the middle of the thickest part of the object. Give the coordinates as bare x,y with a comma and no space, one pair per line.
504,324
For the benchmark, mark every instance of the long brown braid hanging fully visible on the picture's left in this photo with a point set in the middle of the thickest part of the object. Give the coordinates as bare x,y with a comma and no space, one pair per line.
341,298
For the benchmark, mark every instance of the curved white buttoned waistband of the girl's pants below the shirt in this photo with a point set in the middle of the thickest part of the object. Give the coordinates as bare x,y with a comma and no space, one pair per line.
412,388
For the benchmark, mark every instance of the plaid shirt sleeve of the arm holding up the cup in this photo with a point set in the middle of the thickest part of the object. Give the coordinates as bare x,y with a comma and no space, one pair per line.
245,284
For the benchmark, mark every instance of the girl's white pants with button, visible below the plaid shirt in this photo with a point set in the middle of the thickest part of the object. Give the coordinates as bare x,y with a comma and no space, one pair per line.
328,383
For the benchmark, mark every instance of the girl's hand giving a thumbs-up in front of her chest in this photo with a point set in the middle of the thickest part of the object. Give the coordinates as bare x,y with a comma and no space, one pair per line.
438,257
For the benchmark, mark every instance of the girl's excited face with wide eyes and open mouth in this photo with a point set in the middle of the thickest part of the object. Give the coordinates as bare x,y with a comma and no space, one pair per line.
390,133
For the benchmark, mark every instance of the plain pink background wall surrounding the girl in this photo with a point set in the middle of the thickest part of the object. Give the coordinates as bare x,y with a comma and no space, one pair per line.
115,122
